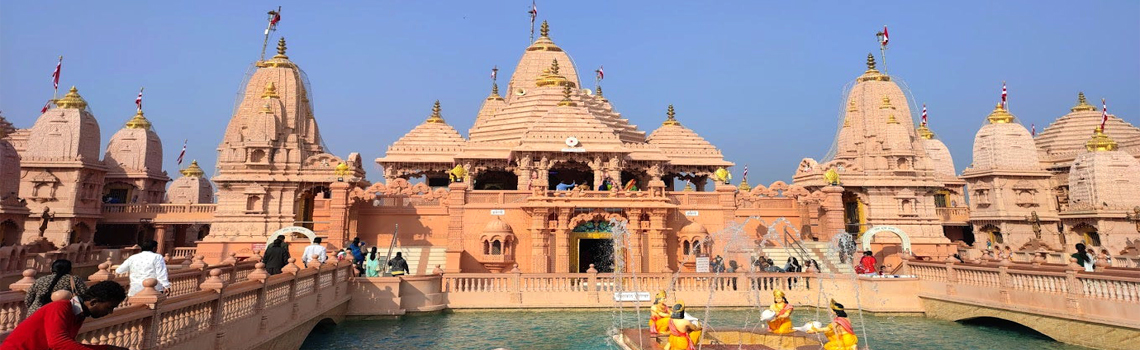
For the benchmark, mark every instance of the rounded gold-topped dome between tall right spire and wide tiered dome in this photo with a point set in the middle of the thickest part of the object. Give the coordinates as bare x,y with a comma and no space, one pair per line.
1004,145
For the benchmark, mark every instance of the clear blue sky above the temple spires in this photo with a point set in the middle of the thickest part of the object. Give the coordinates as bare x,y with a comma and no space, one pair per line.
762,80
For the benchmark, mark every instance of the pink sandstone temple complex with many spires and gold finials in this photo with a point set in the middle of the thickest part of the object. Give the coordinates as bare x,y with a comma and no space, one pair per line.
549,166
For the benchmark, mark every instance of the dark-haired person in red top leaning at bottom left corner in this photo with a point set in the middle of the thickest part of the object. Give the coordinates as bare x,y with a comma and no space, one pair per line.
56,324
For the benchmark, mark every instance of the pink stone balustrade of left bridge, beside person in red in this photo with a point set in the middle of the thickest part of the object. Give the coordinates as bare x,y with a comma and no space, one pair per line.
226,311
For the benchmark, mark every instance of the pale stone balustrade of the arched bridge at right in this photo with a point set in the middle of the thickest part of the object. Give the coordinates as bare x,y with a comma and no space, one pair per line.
1111,297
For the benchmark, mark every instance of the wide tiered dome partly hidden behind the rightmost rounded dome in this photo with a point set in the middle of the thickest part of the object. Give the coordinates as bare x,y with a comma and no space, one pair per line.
1064,140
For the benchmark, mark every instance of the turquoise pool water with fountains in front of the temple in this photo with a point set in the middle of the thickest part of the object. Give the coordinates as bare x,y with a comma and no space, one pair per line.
588,331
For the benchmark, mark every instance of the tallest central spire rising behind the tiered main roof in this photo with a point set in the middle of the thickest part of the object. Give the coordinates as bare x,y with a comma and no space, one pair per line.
535,61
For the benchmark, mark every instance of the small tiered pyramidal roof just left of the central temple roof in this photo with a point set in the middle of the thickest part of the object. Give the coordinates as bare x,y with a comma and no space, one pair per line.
431,142
